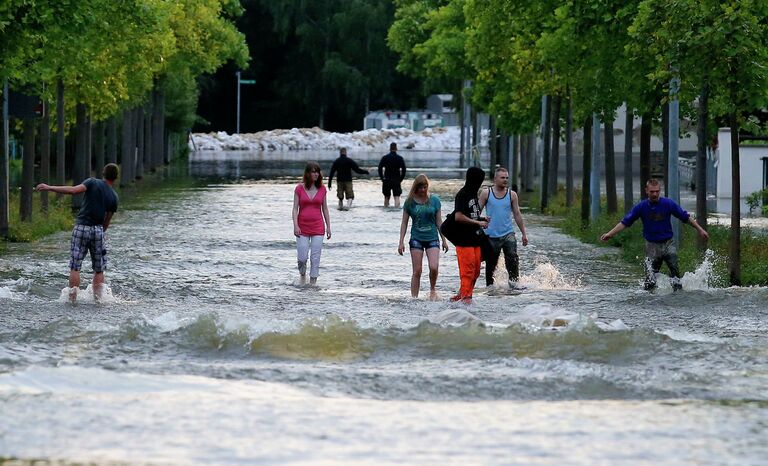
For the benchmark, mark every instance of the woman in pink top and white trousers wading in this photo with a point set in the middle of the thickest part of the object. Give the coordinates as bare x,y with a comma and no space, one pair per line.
310,221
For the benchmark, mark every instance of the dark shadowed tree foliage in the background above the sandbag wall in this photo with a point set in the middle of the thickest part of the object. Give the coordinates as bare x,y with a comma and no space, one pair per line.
338,62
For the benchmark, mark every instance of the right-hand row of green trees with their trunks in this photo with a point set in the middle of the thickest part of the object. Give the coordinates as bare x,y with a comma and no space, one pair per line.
588,57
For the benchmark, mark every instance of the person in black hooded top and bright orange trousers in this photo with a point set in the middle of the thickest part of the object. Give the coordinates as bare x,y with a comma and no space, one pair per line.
469,225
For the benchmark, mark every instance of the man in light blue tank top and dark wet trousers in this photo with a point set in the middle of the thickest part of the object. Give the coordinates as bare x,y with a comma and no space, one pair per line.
500,205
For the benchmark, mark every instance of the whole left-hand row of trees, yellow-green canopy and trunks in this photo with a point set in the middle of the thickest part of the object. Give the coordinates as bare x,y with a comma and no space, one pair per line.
103,68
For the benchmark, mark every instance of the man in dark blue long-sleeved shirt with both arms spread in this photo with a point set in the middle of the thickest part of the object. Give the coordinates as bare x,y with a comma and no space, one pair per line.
656,212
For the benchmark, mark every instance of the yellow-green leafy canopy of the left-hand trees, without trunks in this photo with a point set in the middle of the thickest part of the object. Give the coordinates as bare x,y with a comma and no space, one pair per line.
110,54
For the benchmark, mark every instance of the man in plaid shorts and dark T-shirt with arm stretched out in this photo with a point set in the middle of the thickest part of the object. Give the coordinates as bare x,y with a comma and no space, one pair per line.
88,234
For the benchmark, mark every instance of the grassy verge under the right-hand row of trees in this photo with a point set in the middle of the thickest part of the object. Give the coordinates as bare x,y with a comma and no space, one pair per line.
754,246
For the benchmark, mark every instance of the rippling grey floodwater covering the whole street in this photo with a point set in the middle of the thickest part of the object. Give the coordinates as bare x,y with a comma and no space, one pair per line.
209,352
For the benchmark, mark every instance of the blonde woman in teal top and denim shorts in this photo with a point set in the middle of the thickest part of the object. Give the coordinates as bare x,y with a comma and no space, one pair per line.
424,209
